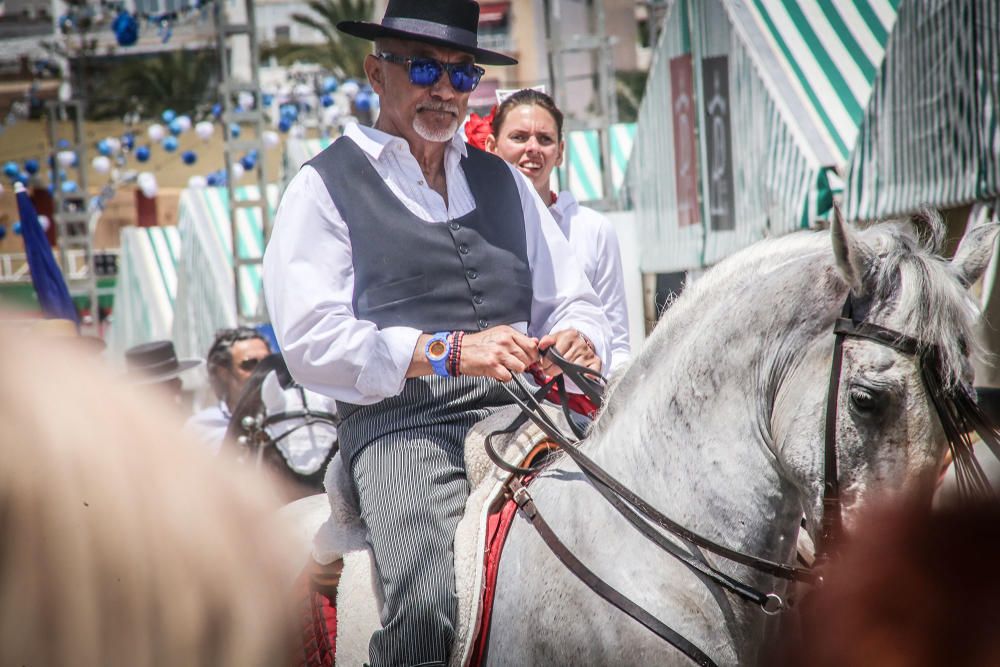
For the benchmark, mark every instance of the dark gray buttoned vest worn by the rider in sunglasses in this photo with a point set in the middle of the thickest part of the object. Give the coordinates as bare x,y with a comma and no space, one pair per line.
467,274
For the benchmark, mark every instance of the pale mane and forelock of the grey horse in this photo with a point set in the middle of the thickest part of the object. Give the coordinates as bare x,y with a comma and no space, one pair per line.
907,280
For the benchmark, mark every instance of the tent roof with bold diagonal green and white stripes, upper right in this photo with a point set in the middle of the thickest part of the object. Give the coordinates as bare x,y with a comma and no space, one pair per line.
819,58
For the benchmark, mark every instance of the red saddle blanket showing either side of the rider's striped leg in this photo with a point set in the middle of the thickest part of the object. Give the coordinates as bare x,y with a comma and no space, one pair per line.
319,631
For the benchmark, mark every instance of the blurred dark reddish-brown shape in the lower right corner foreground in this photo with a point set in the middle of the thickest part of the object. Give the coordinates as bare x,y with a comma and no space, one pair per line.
915,587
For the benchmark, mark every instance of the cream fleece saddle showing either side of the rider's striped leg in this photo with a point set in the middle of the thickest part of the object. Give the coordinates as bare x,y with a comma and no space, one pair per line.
341,566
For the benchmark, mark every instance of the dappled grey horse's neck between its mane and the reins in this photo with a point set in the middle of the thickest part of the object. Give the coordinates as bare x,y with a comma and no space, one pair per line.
688,426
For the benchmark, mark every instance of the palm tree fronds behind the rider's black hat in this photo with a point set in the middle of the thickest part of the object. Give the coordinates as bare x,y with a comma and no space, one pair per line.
341,54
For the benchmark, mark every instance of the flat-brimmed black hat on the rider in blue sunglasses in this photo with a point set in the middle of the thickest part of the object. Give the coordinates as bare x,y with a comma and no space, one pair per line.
450,23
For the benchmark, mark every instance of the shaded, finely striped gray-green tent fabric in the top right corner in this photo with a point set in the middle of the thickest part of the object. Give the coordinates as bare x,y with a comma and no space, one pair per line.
931,133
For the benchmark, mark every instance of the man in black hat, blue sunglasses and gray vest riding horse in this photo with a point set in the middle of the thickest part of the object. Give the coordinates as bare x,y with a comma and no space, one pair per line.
408,275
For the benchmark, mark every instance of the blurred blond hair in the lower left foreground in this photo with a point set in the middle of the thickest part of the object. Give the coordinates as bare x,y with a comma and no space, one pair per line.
120,542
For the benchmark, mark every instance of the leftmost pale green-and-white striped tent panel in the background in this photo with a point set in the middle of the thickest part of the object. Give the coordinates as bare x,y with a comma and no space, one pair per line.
146,287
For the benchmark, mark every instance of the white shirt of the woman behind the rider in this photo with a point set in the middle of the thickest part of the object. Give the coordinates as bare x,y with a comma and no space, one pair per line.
595,245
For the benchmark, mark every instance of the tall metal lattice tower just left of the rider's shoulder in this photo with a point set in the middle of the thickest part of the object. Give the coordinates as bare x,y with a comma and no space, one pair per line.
239,64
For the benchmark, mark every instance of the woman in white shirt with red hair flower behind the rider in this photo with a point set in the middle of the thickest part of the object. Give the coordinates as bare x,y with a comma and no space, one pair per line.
526,130
